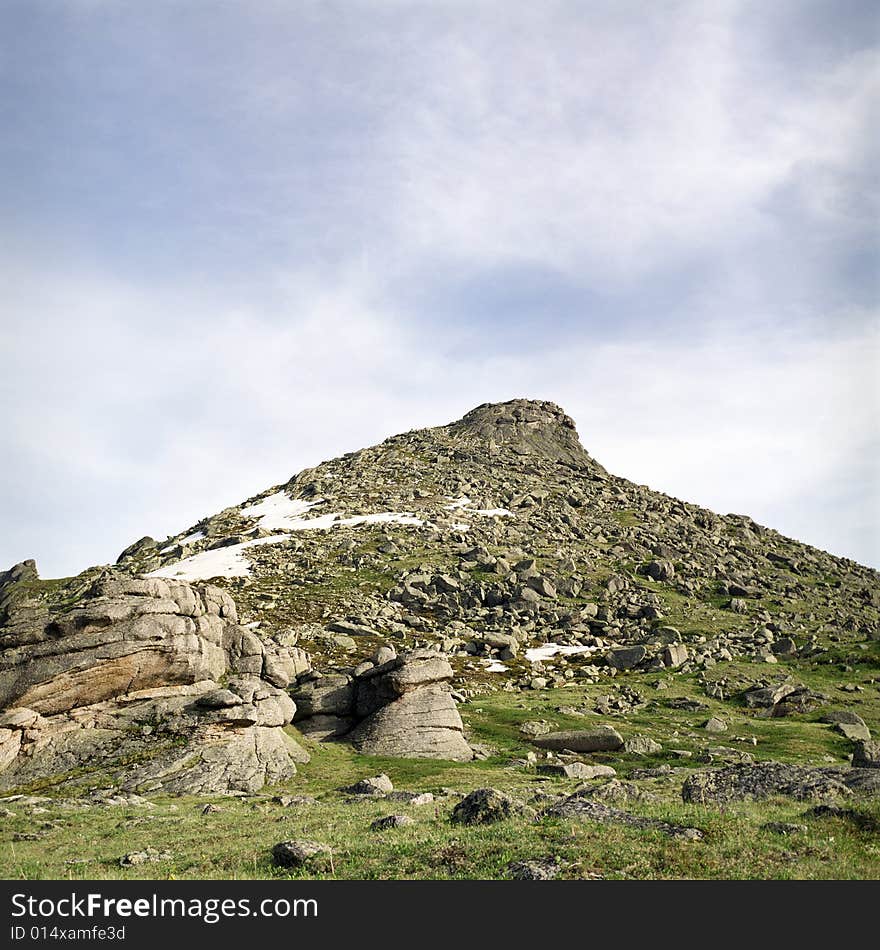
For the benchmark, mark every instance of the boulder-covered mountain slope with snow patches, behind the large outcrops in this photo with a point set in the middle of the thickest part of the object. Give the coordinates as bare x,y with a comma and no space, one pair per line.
497,536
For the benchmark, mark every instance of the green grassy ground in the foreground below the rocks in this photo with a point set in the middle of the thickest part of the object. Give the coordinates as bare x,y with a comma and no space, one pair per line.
234,842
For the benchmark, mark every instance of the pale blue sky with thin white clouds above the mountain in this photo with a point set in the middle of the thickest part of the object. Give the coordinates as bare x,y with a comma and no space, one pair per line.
240,239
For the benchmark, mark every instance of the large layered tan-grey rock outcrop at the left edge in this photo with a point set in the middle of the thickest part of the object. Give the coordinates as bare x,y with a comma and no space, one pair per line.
143,684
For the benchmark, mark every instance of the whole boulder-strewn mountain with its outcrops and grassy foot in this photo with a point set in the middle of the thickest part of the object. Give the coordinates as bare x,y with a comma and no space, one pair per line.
484,589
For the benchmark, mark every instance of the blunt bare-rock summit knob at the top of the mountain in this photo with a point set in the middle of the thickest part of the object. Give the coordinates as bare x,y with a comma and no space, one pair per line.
526,427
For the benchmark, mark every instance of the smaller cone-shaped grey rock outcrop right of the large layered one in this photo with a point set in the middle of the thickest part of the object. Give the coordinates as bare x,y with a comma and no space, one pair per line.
400,708
